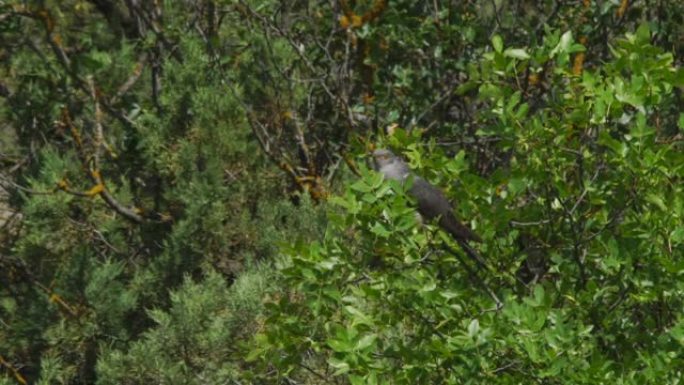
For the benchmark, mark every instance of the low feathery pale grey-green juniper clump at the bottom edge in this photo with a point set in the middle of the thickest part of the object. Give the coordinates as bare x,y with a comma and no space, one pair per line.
193,341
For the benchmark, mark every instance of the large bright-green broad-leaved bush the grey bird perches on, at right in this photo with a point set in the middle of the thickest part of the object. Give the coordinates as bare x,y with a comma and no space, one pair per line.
592,189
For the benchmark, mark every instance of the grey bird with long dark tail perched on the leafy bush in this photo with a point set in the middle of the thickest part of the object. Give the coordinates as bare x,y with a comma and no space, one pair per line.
431,201
